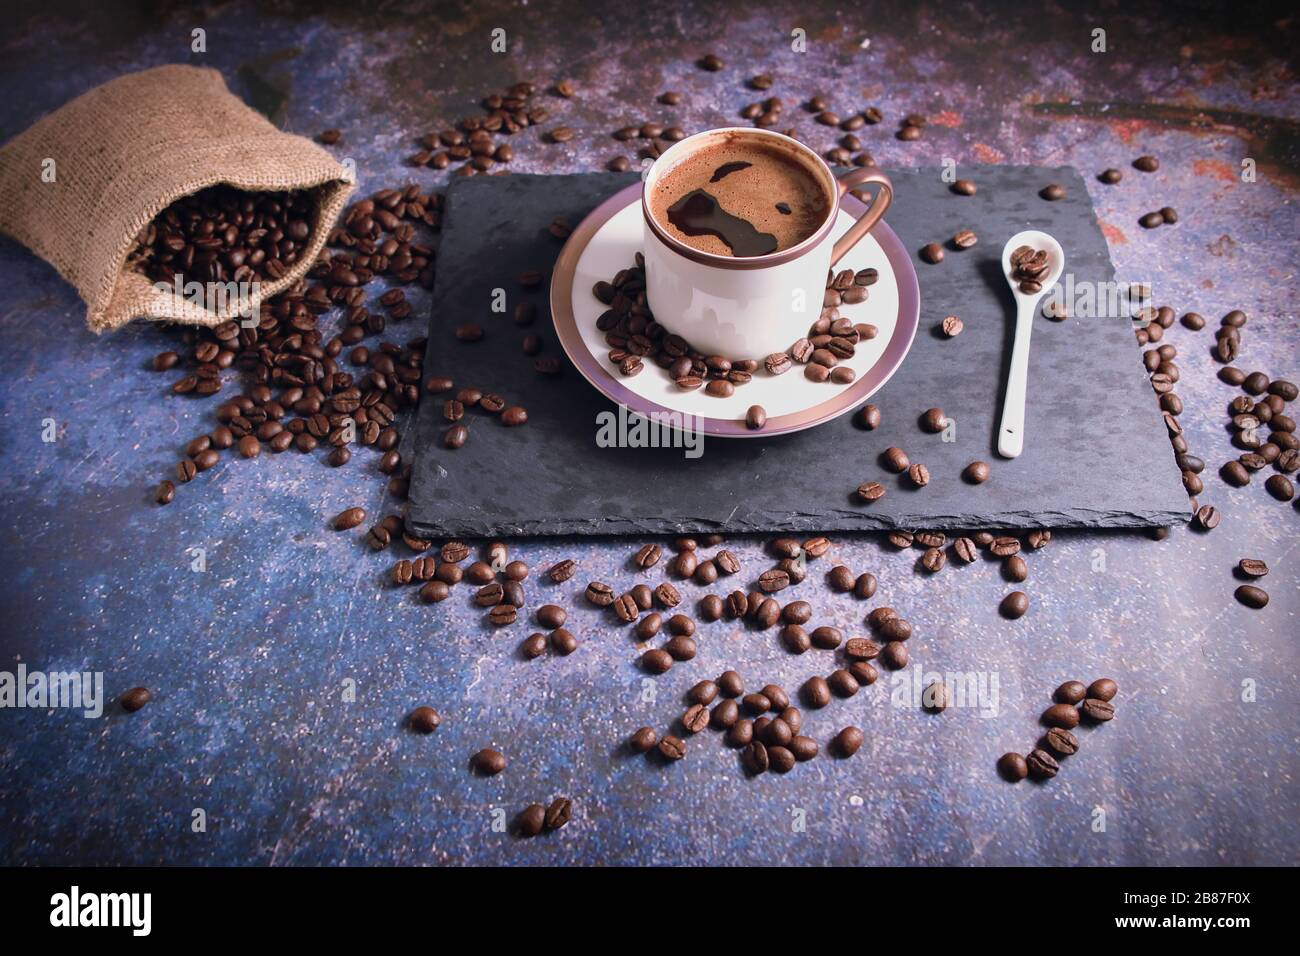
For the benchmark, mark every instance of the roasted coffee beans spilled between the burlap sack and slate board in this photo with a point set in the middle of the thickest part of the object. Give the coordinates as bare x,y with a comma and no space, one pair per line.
297,392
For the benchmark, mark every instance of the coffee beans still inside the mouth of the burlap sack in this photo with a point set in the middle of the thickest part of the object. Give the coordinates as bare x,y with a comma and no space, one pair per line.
224,235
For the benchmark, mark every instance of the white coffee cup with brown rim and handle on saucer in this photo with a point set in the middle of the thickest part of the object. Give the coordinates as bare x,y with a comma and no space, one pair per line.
749,308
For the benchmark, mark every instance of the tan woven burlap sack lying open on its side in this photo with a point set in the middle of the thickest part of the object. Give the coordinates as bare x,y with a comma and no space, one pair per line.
125,152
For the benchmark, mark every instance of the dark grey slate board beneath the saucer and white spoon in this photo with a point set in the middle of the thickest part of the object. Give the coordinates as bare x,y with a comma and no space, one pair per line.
1097,452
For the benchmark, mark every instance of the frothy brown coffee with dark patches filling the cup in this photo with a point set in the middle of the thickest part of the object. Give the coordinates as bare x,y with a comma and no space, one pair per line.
742,197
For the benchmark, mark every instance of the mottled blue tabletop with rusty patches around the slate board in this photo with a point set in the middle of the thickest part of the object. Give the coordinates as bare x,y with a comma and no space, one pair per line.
254,660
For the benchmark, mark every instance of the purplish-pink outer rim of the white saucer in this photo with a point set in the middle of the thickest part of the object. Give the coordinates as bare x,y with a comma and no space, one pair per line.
844,400
